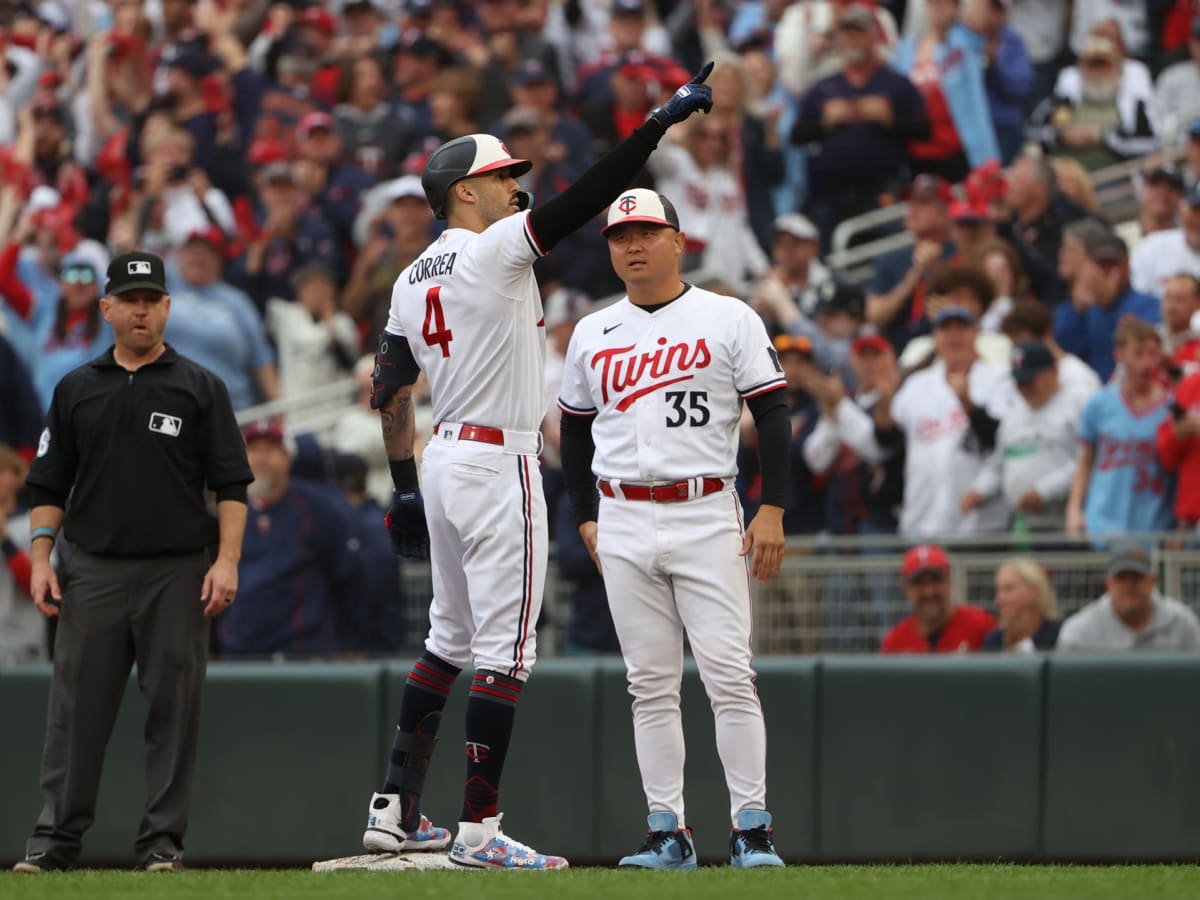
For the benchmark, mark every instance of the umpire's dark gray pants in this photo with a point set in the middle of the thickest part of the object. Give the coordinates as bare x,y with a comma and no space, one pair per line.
117,613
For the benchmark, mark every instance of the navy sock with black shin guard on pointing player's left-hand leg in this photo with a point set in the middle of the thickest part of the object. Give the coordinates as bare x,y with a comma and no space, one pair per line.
421,713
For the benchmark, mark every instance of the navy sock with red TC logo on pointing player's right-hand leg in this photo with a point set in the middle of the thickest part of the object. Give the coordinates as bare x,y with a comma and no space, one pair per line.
491,711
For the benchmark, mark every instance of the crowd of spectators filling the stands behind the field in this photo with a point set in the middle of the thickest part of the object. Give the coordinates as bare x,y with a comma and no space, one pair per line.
1021,364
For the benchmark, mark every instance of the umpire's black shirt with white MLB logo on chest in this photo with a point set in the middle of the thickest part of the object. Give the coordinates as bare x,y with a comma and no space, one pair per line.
135,452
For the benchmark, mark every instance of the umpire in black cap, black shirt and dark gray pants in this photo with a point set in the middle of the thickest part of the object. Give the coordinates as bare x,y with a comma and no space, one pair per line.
133,440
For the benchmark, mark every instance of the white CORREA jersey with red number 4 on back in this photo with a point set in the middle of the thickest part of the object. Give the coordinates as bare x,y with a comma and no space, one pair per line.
471,310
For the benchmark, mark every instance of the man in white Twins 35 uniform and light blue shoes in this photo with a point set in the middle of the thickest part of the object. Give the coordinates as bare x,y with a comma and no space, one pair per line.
652,394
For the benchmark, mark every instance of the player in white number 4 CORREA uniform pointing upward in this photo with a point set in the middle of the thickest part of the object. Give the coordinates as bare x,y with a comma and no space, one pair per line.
467,313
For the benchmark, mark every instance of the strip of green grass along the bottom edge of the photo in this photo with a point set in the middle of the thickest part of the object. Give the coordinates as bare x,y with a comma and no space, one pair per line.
849,883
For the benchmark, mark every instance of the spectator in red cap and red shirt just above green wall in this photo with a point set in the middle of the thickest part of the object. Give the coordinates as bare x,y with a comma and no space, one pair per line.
938,625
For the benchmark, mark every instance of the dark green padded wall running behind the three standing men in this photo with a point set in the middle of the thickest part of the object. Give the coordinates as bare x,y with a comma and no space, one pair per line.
869,759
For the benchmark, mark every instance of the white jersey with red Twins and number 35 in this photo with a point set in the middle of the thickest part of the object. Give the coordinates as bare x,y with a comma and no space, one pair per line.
667,387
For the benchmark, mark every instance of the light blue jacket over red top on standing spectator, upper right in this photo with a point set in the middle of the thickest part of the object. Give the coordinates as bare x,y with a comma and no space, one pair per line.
961,63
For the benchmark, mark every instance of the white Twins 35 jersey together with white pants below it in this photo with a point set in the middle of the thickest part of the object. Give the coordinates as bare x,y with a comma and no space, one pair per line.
667,389
